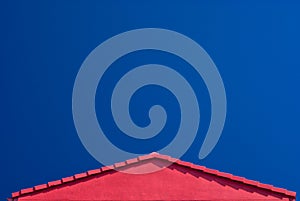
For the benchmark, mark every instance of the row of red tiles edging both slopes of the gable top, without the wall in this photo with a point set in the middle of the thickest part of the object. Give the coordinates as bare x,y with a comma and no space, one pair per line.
154,155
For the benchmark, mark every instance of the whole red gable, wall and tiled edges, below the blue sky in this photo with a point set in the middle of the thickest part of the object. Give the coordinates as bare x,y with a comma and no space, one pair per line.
179,181
